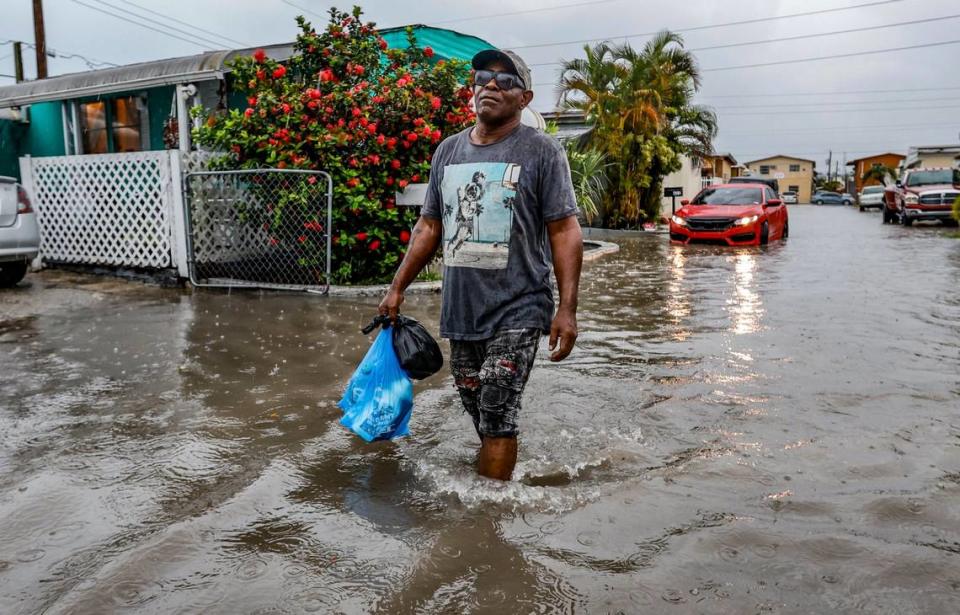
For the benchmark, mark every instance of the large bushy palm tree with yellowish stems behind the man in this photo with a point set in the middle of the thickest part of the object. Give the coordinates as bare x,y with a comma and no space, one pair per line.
640,105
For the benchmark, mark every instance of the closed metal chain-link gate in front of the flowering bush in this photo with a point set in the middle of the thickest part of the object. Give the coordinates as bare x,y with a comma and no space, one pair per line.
265,228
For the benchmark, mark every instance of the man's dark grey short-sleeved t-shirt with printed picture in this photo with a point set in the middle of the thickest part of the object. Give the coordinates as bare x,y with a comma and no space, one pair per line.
495,201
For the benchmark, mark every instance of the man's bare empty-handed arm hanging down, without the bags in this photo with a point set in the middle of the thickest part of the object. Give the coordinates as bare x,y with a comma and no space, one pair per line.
566,242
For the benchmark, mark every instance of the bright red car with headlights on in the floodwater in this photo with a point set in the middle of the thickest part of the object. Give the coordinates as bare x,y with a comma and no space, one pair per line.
731,215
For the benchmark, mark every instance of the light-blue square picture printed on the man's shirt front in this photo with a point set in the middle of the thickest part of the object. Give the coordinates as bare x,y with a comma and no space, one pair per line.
478,202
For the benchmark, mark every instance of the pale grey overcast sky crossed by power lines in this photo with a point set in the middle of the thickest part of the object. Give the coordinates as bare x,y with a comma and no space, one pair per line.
803,109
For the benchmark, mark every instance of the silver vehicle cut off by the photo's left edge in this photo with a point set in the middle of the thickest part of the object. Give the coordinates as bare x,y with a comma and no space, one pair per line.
19,233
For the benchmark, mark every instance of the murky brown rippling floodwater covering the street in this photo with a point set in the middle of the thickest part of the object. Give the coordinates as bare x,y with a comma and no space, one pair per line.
739,431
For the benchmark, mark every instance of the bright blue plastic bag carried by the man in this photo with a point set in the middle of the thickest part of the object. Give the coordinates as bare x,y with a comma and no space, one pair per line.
379,396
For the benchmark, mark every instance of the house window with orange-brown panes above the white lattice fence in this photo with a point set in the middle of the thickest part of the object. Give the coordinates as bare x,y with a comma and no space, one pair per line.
113,125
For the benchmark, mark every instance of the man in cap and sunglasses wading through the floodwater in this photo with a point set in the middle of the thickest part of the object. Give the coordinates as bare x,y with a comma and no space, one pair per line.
499,191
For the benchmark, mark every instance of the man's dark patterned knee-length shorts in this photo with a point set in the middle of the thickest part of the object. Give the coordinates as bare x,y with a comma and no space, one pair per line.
491,375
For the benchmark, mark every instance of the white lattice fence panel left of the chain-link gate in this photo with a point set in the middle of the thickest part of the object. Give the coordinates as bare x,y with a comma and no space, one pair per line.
110,209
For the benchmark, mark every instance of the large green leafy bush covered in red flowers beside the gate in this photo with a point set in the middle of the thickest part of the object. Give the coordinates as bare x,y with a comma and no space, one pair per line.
346,104
